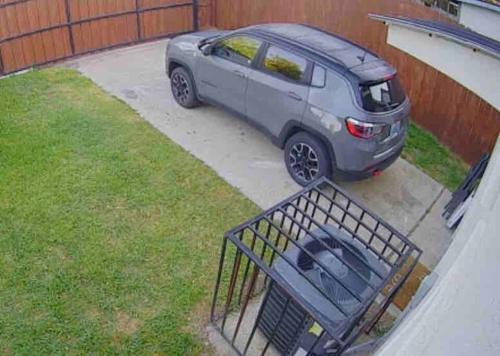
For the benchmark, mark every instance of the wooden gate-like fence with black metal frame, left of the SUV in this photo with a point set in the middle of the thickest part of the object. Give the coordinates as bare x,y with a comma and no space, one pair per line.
42,31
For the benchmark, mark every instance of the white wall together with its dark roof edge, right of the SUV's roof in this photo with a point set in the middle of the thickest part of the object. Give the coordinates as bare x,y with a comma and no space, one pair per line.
467,57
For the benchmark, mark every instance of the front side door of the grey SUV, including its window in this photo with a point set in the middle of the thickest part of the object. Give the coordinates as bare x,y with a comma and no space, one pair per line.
223,74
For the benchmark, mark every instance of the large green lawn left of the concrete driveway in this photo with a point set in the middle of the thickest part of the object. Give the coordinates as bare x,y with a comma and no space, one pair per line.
109,232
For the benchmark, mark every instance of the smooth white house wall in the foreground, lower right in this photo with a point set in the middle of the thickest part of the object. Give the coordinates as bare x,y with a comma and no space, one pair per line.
461,313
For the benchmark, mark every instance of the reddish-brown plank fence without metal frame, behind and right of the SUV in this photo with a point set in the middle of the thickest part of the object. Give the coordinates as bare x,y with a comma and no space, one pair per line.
459,118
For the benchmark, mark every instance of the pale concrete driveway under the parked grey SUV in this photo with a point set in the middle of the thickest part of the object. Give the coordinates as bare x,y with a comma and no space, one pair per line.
245,158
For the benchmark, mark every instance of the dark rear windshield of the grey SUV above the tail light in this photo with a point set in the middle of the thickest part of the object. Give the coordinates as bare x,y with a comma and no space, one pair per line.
383,96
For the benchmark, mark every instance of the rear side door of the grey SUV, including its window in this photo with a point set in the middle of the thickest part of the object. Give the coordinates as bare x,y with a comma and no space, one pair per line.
277,92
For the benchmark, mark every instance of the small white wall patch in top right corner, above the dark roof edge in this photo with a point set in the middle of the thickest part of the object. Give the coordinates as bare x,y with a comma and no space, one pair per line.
481,20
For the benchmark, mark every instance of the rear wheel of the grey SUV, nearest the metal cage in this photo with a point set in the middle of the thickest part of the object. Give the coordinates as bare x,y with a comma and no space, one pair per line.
307,158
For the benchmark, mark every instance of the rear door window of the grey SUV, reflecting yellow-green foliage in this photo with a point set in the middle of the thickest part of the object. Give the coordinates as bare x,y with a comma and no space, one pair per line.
285,64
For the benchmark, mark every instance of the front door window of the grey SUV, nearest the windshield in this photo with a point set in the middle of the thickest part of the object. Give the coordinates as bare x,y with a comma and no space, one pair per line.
238,49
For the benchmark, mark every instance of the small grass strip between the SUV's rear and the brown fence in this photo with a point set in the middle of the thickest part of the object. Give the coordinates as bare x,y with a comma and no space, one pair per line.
424,151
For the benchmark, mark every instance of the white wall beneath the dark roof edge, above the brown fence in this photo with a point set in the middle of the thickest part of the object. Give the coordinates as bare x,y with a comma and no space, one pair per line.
477,71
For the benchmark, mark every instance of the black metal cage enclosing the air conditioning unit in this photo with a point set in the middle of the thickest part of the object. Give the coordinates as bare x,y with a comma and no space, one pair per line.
252,291
